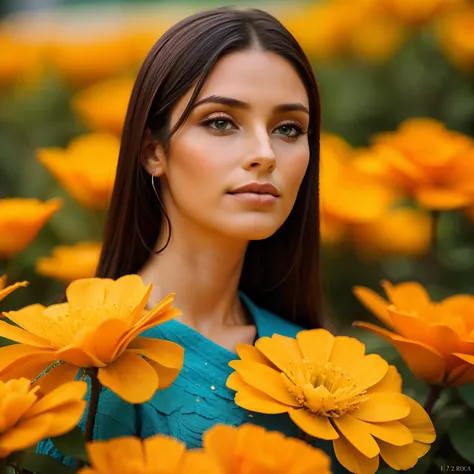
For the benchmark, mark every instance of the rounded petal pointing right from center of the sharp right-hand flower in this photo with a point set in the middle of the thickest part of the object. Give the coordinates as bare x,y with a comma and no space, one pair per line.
382,407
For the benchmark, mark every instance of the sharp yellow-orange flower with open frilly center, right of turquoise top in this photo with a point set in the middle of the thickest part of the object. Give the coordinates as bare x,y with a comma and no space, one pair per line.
332,390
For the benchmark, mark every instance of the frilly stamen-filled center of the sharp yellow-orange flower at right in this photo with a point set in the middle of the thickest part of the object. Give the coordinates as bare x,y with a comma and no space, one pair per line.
324,389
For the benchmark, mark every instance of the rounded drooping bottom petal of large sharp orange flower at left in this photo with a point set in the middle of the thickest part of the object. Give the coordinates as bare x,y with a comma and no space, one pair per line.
130,377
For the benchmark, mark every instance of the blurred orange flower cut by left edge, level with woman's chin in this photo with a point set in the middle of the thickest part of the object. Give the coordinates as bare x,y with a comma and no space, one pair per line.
20,222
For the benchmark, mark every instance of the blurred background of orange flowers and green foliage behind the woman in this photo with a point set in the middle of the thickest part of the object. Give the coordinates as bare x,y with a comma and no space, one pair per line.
397,162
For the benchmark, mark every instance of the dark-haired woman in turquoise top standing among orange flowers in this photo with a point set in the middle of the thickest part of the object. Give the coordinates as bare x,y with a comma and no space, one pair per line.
216,200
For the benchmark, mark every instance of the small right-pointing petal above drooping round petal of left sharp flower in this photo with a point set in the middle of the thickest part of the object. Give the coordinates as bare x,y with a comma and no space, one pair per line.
164,352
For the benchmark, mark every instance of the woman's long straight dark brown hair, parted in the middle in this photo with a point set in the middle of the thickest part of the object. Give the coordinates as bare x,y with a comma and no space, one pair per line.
280,273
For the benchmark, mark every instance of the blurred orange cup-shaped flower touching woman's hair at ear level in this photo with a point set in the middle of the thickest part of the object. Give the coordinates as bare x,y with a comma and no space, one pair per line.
86,168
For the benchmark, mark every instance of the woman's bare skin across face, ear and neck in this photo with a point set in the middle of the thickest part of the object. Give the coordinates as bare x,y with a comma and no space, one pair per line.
219,148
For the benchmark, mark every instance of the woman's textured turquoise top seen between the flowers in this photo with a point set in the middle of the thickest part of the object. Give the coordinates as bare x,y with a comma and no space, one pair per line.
198,399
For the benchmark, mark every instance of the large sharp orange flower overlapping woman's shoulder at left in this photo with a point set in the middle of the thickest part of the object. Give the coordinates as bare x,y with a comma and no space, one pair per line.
97,327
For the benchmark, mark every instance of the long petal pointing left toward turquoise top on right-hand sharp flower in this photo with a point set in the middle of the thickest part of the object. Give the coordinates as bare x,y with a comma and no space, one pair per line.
264,379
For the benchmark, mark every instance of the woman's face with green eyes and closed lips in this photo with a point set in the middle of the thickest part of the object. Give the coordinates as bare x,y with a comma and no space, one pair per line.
249,125
